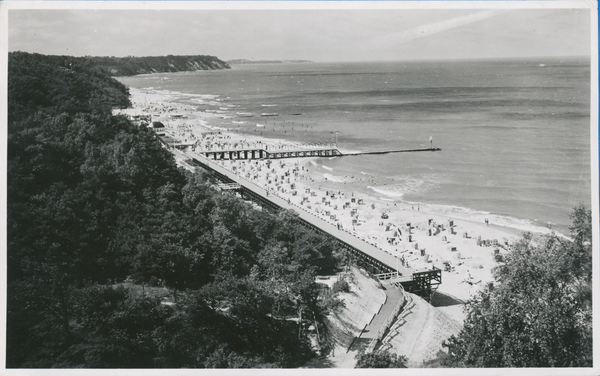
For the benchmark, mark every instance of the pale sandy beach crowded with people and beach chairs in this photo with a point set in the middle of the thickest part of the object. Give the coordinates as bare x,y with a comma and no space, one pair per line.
435,236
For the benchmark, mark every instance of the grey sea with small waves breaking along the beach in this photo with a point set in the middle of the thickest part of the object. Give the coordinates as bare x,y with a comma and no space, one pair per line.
514,134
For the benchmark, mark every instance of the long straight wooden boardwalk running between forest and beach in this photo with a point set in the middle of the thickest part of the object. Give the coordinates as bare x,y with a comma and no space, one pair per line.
414,280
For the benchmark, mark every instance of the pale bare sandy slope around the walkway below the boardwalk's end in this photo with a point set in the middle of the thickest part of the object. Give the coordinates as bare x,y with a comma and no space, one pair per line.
417,333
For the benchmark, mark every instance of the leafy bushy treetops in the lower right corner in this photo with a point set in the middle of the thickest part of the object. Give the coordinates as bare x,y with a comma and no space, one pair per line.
539,311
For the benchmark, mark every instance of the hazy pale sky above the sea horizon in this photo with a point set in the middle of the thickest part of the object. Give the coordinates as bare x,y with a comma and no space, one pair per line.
319,35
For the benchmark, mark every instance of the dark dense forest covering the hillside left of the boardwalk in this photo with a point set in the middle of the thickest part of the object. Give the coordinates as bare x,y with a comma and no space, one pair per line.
102,227
